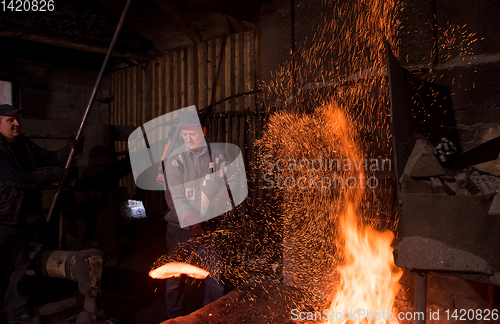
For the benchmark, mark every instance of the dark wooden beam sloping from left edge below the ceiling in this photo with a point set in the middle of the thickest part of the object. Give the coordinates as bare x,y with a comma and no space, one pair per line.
66,42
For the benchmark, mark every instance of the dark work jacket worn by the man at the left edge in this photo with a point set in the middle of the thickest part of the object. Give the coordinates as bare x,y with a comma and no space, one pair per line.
14,180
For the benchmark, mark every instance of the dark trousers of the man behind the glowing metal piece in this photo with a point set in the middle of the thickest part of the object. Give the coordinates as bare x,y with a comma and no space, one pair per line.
174,294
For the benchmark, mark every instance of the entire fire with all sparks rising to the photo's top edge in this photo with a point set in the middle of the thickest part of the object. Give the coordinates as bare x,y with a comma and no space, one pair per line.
331,249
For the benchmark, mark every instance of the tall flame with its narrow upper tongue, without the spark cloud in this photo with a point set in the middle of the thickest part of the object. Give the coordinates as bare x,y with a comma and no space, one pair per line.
368,278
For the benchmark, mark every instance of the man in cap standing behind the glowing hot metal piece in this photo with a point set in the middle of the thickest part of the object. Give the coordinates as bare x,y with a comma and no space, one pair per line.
196,193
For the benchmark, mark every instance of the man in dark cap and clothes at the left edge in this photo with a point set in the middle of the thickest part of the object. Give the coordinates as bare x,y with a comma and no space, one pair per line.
20,199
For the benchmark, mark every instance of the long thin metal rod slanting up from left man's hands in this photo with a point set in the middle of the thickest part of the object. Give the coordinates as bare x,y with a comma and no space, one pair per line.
91,102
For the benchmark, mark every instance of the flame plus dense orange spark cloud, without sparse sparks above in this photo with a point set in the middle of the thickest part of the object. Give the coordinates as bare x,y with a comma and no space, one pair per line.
333,250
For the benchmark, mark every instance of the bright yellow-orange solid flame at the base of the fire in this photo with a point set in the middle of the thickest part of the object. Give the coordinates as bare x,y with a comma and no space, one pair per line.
368,282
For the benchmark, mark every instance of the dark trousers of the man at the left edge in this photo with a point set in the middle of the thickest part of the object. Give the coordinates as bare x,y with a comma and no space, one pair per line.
14,262
